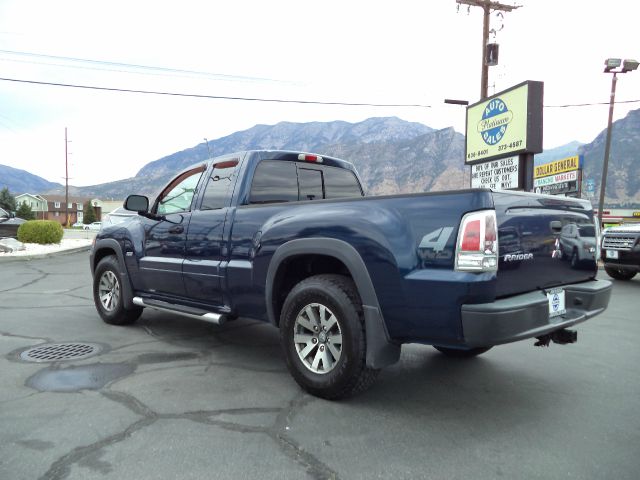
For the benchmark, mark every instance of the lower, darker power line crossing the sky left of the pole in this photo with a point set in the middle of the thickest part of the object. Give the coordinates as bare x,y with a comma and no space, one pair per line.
215,97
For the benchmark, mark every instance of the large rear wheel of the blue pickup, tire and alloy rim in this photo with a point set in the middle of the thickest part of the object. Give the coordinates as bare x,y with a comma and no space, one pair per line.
323,336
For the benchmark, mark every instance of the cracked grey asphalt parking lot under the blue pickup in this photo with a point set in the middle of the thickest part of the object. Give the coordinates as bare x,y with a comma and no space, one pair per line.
180,399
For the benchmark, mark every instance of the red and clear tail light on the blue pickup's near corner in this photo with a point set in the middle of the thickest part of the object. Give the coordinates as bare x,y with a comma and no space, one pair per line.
477,246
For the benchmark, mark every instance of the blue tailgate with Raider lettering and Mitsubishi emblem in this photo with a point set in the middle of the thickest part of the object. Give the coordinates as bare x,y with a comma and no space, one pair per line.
531,253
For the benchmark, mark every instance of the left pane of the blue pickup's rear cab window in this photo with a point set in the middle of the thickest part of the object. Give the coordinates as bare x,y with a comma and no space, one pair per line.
274,181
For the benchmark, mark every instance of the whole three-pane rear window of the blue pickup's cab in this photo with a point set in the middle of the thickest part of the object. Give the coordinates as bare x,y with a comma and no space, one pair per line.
282,181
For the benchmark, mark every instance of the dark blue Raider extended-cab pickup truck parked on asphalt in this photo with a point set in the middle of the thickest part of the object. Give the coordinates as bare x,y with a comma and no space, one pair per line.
290,238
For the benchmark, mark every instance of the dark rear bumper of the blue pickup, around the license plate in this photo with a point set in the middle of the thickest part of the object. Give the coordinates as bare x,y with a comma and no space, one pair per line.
527,315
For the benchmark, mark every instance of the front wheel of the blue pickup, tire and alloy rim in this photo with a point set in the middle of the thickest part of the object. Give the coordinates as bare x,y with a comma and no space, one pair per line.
107,294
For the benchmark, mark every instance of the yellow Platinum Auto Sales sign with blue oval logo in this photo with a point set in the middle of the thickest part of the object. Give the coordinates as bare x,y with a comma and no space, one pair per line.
505,124
